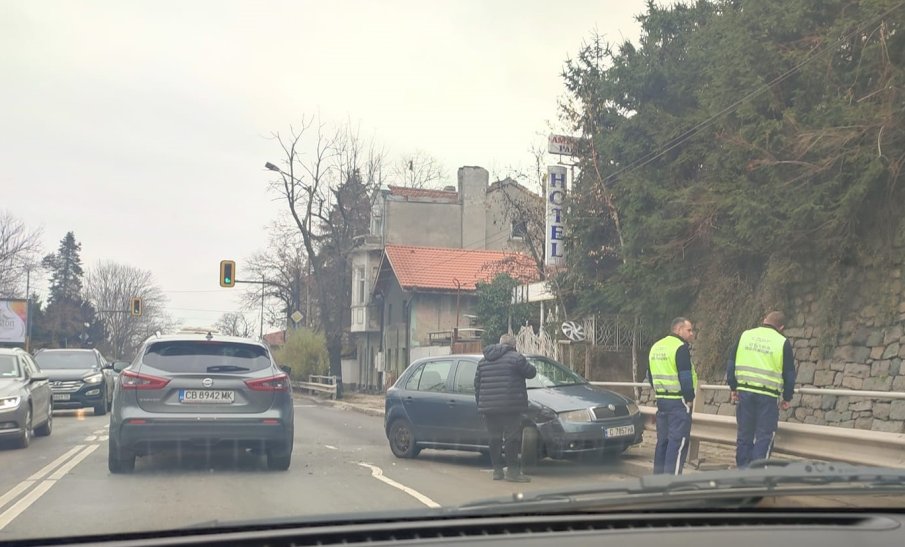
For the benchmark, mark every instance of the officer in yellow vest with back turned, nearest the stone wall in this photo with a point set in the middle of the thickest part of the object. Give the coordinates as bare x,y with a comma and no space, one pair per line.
761,370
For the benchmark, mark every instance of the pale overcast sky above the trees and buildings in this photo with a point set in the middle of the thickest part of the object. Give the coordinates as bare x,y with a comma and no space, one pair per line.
142,126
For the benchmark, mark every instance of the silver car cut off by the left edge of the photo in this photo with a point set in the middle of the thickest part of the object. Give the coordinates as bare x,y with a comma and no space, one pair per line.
25,398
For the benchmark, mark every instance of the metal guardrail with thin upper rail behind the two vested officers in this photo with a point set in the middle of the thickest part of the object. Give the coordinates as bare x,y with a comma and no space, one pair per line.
808,441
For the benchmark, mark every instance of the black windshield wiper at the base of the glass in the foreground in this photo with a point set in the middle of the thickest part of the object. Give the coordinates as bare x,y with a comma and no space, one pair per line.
764,478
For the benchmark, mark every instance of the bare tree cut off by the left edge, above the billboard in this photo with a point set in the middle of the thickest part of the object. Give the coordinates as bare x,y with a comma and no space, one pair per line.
20,250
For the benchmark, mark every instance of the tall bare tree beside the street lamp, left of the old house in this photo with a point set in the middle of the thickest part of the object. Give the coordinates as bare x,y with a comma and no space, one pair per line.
328,196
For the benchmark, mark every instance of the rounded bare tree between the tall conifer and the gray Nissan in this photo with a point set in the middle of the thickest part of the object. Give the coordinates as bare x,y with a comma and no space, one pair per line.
109,288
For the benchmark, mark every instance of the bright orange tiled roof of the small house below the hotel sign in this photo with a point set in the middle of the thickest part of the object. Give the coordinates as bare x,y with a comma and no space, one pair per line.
439,268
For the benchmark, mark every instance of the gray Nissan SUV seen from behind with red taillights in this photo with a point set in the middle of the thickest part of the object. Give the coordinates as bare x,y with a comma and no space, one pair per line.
206,391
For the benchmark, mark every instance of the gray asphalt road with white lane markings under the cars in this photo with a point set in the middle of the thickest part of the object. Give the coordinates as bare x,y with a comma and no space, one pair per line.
60,486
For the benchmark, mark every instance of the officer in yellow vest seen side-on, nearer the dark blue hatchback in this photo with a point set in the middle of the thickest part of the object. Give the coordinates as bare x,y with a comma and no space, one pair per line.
674,381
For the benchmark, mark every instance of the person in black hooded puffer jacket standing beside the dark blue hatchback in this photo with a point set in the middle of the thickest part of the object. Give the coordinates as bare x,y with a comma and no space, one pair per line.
502,399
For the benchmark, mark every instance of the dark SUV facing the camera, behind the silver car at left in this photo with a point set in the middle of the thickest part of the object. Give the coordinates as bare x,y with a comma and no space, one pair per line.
79,378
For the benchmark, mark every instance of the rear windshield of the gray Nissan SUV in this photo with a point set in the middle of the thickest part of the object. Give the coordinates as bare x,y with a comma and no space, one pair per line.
203,356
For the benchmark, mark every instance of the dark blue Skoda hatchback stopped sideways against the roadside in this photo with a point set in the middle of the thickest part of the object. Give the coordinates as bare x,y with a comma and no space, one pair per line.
432,405
